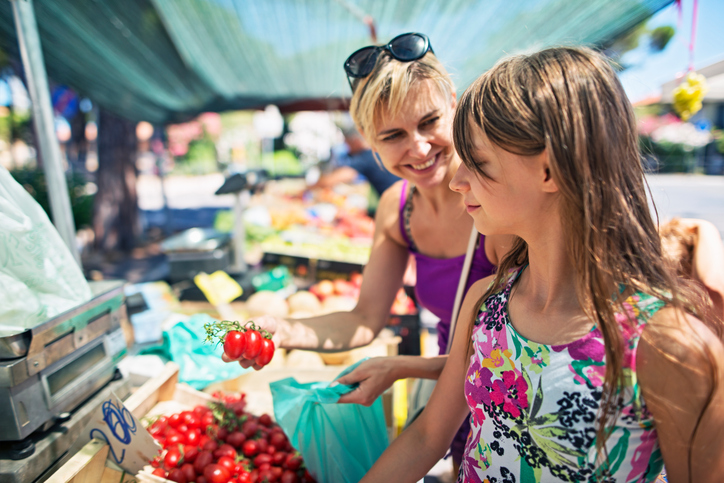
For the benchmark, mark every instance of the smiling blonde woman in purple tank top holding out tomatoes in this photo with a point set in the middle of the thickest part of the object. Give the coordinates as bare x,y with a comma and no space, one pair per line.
403,103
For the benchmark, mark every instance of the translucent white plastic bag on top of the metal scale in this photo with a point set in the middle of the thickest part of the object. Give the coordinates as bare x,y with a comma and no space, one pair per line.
39,278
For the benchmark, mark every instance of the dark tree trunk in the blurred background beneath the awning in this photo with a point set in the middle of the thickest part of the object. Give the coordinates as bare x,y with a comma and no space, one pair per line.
115,216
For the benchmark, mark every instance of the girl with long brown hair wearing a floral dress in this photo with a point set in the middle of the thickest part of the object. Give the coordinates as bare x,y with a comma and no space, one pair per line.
585,358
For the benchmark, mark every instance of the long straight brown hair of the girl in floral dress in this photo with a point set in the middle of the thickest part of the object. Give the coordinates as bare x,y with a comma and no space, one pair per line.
569,102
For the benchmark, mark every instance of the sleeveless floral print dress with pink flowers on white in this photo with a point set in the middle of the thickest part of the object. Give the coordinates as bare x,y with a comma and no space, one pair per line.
534,406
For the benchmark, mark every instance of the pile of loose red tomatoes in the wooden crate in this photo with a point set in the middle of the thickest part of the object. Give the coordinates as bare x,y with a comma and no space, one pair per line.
222,443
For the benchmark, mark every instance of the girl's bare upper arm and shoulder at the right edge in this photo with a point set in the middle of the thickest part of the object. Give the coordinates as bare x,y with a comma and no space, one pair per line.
680,366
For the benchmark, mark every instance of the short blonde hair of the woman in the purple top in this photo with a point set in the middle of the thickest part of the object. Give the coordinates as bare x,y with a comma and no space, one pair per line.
387,87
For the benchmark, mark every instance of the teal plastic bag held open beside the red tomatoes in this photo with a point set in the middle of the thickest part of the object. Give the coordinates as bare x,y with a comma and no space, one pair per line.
339,442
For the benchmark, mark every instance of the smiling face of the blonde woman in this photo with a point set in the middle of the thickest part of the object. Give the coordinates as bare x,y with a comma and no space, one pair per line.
417,143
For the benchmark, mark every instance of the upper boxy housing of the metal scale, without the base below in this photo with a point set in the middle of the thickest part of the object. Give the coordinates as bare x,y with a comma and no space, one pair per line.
52,368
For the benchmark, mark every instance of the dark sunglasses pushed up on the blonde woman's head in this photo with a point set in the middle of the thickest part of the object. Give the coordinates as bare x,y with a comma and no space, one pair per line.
405,48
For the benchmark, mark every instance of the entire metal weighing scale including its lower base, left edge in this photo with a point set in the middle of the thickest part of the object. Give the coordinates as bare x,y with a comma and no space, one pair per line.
47,375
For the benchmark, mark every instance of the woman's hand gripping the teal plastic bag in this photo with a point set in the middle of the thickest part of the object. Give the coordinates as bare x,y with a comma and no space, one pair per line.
374,376
